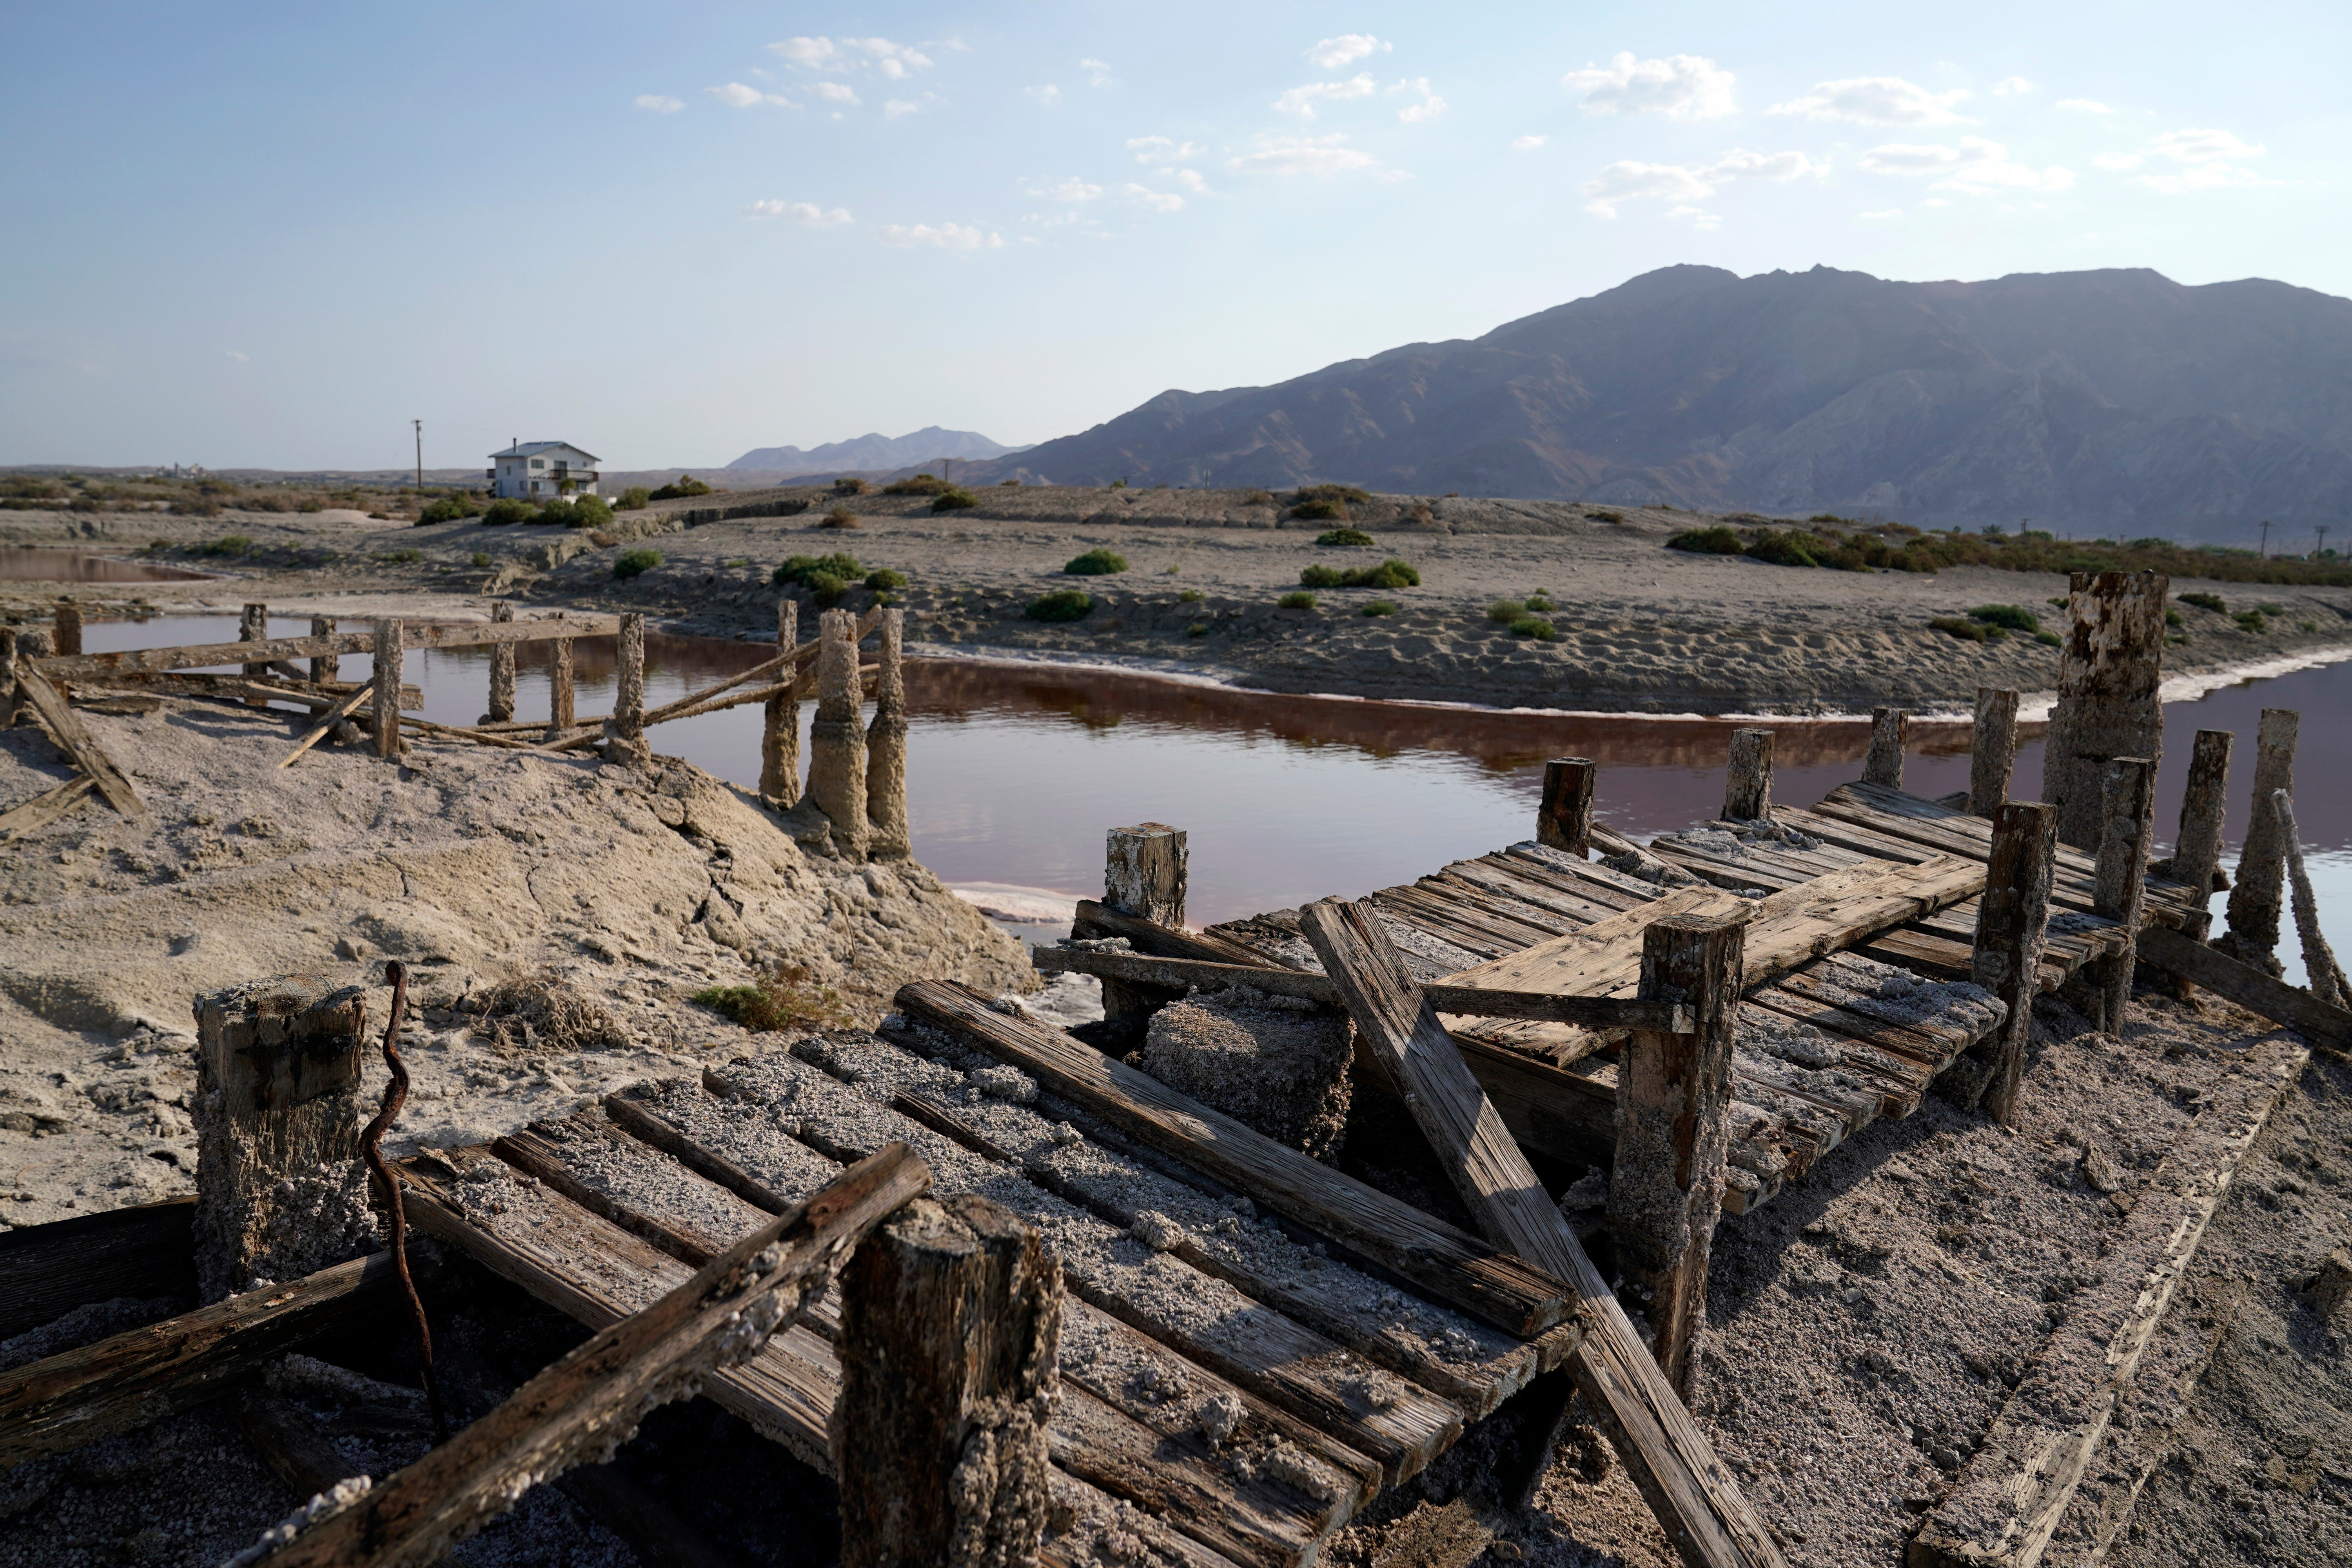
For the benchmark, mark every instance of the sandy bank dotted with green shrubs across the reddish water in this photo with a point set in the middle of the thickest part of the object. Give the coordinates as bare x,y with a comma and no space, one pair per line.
1641,629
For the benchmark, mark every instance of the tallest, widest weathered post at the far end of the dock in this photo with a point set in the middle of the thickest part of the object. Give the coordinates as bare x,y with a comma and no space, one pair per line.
2109,676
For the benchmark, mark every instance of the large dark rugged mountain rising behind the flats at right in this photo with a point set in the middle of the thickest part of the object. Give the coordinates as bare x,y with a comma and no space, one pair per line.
2116,401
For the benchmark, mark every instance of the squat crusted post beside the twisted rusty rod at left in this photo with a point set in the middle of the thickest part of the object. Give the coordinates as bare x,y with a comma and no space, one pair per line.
279,1181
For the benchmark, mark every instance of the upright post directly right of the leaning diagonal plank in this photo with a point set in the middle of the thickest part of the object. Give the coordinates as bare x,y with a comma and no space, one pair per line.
1673,1111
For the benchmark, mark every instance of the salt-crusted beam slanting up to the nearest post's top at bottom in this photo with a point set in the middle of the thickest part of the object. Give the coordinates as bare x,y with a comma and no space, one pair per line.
589,1402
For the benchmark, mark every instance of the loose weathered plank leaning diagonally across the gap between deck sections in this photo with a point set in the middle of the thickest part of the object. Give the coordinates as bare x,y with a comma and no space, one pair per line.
1669,1456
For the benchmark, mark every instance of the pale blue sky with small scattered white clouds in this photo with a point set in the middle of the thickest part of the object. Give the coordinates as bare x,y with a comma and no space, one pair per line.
276,234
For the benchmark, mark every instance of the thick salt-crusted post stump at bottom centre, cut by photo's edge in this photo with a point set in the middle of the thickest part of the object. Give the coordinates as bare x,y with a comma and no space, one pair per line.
949,1348
